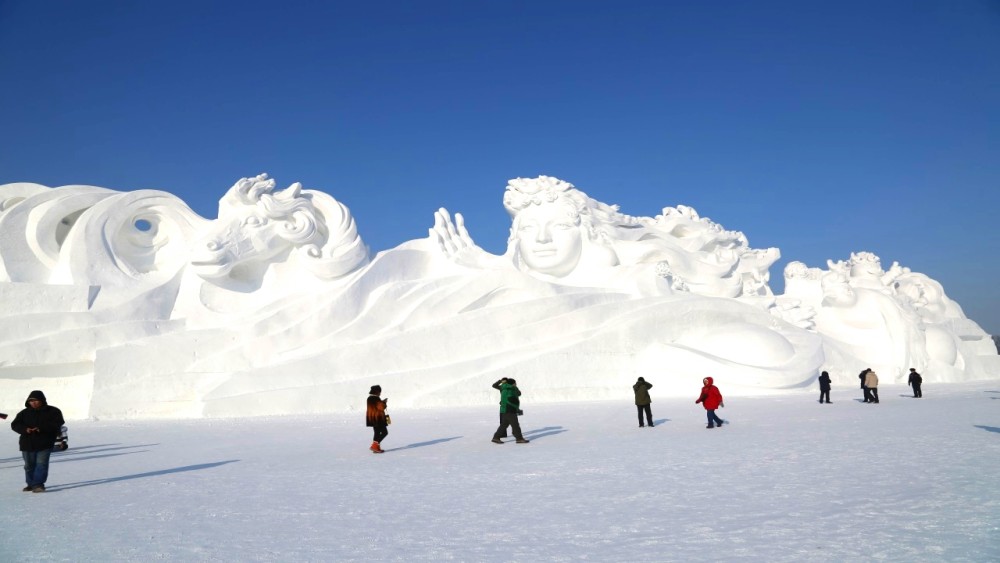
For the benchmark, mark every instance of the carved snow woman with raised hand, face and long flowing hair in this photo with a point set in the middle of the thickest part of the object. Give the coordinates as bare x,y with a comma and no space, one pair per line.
559,234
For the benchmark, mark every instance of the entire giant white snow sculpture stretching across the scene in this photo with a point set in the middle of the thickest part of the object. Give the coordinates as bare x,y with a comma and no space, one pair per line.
130,305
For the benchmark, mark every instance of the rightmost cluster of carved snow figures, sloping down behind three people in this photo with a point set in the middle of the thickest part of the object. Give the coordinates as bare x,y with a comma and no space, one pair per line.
889,321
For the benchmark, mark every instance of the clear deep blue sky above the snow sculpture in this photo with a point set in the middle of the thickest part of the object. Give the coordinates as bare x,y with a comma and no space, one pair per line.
821,128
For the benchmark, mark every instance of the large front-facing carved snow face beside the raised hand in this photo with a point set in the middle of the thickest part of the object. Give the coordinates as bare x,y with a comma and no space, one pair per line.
549,238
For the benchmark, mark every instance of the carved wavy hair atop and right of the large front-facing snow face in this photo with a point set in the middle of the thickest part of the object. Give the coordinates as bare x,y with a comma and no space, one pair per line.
598,220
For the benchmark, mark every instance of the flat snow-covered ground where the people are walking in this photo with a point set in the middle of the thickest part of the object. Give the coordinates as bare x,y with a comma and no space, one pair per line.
787,479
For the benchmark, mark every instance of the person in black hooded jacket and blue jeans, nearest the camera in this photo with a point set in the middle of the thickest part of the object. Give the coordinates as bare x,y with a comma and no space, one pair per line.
39,425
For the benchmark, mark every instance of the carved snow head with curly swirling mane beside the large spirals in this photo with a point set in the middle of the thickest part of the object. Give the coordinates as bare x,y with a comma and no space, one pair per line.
267,245
